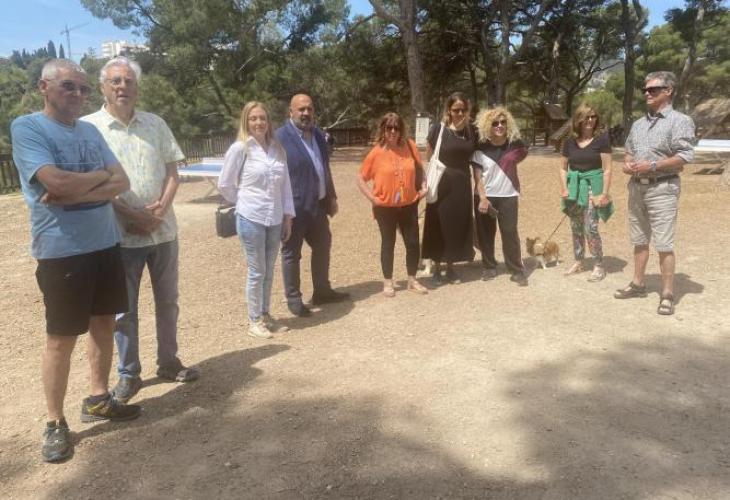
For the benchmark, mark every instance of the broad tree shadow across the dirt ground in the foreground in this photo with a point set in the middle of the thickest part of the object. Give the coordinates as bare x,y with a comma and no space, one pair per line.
647,420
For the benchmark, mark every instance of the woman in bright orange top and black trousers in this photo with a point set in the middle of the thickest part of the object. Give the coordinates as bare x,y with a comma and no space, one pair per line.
391,166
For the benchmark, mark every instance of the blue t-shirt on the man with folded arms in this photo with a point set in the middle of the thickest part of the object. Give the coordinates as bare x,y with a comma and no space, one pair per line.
61,231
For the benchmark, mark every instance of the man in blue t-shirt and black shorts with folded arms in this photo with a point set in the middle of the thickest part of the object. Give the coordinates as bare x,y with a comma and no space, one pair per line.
68,175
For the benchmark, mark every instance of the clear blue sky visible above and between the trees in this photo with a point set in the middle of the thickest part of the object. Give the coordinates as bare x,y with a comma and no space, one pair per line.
30,24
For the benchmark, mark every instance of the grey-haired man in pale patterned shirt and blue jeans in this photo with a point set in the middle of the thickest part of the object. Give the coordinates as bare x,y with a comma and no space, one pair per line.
150,155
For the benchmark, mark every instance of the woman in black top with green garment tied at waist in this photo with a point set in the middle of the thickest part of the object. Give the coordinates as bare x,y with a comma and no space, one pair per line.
585,181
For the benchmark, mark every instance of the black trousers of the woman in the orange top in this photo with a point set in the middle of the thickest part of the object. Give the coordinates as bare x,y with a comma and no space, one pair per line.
406,219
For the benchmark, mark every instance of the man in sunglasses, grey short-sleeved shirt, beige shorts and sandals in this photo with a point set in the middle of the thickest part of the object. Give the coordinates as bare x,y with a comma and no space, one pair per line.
657,147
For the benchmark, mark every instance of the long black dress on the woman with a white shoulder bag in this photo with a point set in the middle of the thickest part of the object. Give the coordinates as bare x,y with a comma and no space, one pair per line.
448,229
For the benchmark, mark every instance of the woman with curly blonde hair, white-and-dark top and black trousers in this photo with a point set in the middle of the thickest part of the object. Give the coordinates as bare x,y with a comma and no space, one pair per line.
498,190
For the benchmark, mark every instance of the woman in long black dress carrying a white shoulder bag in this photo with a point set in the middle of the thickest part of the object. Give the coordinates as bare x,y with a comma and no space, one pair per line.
447,232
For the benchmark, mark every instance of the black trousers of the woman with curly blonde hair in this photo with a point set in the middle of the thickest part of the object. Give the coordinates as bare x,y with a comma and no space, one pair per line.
487,230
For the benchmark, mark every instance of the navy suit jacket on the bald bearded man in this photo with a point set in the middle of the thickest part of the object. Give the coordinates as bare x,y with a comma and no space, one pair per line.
303,175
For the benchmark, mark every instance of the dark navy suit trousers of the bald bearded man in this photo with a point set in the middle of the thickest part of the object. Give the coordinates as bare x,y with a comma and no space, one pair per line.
316,232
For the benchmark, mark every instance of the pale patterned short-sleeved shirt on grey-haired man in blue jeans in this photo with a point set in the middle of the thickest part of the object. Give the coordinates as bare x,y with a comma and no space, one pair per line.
143,147
